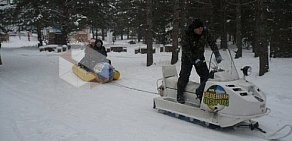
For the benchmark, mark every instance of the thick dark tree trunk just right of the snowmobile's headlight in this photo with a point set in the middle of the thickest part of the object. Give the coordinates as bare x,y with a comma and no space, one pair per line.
263,44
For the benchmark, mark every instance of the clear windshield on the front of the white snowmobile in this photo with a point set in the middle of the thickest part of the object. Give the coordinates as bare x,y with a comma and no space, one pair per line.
225,70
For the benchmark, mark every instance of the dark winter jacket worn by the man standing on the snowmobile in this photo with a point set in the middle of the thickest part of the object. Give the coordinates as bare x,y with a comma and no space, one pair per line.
193,45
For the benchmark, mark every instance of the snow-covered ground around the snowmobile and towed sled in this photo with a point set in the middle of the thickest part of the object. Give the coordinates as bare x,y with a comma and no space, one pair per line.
37,103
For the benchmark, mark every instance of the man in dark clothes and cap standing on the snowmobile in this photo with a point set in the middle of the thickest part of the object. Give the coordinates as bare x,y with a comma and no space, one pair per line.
193,48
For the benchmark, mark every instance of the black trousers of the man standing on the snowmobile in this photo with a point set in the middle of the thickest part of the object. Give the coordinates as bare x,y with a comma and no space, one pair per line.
186,68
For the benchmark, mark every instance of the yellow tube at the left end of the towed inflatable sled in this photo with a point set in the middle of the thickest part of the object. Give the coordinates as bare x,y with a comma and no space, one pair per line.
83,74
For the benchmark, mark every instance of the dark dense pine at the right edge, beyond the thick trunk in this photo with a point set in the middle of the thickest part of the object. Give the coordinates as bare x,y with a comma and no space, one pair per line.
279,23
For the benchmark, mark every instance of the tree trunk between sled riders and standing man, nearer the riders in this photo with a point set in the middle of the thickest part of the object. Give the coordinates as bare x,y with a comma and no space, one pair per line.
149,34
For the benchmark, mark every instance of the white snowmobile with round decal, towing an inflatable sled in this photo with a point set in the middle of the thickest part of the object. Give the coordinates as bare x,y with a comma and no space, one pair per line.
227,100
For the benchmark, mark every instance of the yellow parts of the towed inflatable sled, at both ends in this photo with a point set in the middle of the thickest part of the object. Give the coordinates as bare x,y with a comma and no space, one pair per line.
91,76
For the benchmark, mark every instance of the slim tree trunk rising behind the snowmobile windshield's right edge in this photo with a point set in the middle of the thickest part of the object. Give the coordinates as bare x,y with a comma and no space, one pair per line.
238,31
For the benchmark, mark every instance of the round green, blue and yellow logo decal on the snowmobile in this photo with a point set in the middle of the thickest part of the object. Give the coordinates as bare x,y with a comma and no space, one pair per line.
214,96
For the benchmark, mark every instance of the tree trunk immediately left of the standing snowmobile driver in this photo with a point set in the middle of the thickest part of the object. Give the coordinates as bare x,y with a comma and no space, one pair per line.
175,32
